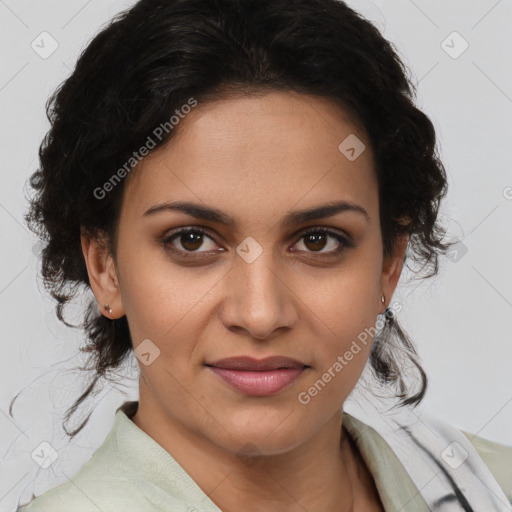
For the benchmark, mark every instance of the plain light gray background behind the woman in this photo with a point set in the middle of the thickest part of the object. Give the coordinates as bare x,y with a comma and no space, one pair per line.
460,322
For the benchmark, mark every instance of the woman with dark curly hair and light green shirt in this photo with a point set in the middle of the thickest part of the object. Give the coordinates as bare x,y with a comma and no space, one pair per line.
238,183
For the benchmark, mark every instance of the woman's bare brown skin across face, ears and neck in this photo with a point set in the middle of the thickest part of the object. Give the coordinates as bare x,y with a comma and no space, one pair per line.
256,159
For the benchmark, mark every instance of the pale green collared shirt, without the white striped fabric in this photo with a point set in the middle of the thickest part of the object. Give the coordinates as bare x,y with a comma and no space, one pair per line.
130,472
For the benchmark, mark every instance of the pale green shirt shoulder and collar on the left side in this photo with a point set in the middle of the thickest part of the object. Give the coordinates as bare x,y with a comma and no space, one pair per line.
129,471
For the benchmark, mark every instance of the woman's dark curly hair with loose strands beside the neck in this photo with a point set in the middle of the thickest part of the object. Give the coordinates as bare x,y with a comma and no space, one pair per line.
151,59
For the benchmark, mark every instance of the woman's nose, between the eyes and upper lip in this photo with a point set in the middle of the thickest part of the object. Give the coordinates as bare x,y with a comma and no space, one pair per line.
259,298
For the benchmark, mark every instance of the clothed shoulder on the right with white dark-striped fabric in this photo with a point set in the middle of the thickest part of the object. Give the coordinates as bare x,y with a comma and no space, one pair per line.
460,466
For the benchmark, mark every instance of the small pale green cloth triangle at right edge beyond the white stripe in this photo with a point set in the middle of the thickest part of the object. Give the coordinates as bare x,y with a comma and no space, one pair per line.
498,458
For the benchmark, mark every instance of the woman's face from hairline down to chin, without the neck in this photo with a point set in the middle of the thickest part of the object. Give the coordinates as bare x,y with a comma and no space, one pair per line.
261,283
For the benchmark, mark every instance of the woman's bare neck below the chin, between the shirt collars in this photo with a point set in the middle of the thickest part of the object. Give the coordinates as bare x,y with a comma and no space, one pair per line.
315,476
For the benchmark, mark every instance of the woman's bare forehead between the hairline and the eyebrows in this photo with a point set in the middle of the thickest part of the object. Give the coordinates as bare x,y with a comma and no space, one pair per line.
258,154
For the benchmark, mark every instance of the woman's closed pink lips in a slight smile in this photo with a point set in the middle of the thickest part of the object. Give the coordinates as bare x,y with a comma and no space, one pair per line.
258,377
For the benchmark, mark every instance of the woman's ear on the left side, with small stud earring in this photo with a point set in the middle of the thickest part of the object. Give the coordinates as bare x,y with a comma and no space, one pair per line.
102,274
